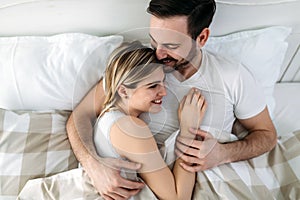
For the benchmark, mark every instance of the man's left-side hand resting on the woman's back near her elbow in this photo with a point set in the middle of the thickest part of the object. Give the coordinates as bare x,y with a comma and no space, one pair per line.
106,178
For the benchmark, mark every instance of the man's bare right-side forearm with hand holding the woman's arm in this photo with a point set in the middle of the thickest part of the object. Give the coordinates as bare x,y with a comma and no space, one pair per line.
210,153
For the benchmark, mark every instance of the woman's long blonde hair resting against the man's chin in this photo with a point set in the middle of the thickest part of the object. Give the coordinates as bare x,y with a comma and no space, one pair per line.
128,65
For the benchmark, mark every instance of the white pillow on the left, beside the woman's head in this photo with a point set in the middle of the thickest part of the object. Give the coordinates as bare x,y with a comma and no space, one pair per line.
54,72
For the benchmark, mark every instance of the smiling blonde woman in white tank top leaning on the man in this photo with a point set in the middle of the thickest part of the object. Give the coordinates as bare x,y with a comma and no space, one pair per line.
134,83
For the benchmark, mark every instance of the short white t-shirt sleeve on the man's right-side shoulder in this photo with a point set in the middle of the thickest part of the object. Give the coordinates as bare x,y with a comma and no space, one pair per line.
249,96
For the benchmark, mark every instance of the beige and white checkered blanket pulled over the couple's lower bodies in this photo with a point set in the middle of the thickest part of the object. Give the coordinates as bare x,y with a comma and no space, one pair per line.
274,175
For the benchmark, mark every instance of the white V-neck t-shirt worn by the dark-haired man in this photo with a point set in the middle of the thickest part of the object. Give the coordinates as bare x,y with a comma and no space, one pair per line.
229,89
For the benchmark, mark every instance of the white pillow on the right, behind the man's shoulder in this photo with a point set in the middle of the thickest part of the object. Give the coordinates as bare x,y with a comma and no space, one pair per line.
261,51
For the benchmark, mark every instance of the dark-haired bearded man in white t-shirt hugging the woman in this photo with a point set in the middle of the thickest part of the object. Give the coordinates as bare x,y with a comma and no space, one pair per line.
178,31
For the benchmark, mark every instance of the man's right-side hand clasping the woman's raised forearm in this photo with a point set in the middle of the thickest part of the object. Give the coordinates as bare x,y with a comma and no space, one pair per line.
201,154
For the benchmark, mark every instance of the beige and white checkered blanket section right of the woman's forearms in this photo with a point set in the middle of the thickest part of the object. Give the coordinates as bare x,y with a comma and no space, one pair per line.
273,175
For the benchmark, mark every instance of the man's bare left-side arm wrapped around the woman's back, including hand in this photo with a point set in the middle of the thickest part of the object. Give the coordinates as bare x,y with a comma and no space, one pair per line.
104,172
